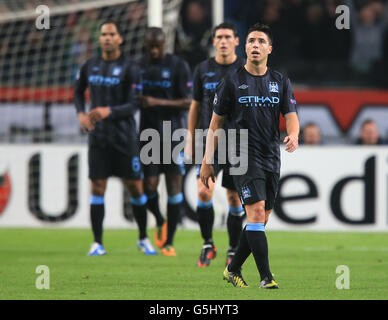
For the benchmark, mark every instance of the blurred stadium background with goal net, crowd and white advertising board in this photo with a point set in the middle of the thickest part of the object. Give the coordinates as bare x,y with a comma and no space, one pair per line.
339,79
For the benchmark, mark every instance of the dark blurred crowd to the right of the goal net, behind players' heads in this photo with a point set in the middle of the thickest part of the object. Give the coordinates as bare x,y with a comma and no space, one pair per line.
308,45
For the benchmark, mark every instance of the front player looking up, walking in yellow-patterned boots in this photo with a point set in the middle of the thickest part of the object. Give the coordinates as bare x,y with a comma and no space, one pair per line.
253,97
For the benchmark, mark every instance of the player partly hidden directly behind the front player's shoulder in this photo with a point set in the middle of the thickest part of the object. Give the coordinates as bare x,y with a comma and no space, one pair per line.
207,75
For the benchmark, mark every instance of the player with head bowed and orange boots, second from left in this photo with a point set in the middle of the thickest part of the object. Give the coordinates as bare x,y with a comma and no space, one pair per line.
165,100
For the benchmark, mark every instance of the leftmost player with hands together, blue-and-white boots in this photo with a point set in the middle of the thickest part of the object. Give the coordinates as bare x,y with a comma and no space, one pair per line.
113,144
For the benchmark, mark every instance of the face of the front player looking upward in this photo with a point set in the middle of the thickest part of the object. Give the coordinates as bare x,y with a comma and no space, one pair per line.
257,47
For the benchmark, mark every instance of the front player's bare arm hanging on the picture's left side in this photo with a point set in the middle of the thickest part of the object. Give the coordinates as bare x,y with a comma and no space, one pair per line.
207,170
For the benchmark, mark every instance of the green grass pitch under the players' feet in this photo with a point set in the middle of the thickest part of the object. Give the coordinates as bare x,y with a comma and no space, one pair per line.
304,264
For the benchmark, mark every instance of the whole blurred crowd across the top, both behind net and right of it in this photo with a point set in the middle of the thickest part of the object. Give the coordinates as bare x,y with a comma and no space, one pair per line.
308,46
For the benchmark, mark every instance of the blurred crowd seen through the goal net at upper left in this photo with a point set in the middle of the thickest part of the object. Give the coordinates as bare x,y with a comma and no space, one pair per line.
29,56
